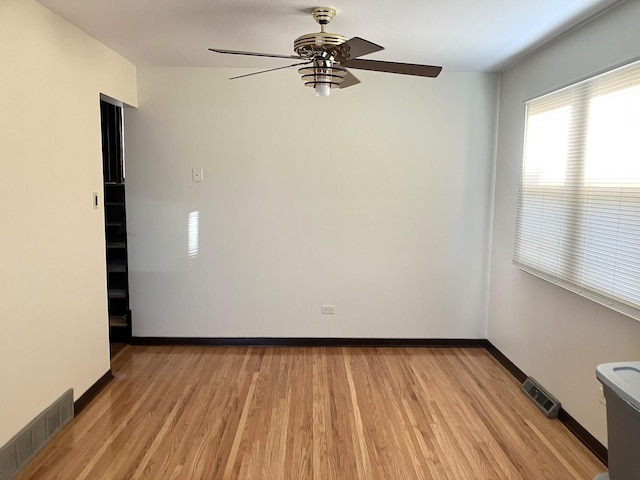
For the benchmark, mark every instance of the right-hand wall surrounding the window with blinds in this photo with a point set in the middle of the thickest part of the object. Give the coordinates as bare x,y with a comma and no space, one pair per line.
554,335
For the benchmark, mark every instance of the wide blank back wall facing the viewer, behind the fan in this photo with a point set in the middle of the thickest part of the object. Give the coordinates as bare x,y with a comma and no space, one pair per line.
376,199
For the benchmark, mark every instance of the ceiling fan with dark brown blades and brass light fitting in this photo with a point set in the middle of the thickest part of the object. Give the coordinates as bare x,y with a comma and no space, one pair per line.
325,57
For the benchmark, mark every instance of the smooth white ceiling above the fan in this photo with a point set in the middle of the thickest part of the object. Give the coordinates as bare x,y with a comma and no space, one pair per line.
460,35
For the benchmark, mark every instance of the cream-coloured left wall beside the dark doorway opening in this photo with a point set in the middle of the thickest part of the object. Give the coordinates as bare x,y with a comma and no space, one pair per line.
53,312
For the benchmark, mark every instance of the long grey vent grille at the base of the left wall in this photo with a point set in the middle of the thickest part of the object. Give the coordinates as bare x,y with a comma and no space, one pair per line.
21,448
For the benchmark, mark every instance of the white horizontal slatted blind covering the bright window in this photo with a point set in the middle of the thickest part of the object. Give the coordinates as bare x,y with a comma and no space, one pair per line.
578,222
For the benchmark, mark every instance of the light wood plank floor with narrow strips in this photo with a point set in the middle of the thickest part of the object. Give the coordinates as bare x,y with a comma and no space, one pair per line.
312,413
